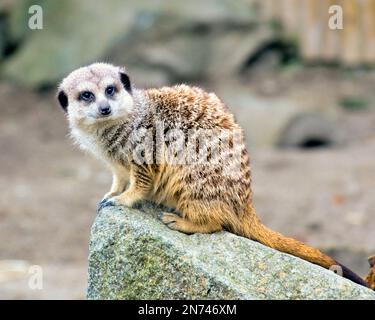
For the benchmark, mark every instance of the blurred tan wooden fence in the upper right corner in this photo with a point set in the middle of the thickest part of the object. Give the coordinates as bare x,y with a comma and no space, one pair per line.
307,21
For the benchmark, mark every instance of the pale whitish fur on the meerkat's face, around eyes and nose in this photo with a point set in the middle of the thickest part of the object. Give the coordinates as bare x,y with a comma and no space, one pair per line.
95,78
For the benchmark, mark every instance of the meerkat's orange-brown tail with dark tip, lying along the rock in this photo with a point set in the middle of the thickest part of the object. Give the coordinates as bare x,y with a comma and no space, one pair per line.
255,230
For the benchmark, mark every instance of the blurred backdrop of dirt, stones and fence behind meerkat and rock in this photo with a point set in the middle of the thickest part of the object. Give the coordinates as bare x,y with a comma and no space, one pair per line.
303,92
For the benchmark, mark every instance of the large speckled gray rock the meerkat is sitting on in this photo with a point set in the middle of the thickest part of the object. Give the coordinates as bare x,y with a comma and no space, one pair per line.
134,256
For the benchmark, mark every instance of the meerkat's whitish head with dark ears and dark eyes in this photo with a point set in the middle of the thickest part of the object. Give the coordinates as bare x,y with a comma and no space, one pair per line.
95,94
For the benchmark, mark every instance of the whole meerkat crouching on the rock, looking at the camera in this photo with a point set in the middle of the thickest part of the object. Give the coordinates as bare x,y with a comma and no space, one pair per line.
109,118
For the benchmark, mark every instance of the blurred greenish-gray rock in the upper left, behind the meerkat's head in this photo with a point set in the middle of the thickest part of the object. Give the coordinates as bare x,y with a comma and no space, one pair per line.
74,33
